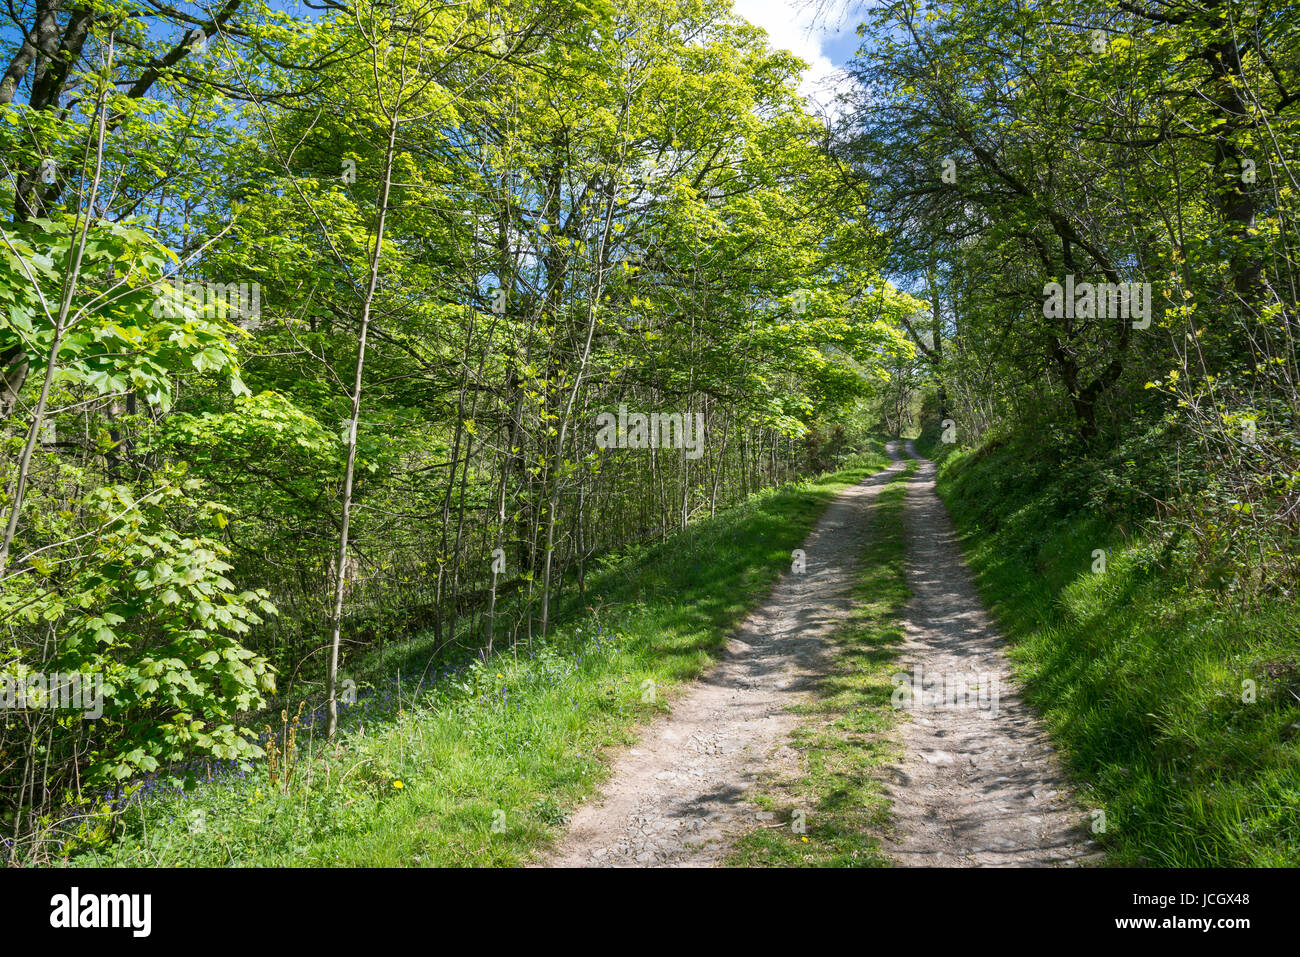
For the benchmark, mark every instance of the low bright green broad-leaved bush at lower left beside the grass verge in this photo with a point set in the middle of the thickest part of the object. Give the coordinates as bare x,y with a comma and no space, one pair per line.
150,614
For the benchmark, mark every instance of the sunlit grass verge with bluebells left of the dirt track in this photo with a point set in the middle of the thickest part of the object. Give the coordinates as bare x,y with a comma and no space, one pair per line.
484,764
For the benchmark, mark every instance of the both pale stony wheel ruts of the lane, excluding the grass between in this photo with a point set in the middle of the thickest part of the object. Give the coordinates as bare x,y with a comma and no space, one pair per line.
977,786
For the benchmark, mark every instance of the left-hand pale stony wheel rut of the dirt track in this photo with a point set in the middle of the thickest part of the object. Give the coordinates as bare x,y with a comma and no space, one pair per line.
681,796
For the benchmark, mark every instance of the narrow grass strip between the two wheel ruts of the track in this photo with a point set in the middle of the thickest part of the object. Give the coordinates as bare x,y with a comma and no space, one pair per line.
839,799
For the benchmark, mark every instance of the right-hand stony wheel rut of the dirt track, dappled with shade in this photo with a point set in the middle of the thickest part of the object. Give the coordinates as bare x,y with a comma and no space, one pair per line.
980,785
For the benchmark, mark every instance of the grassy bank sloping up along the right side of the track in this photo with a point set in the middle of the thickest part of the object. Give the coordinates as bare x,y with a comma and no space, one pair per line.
1139,675
